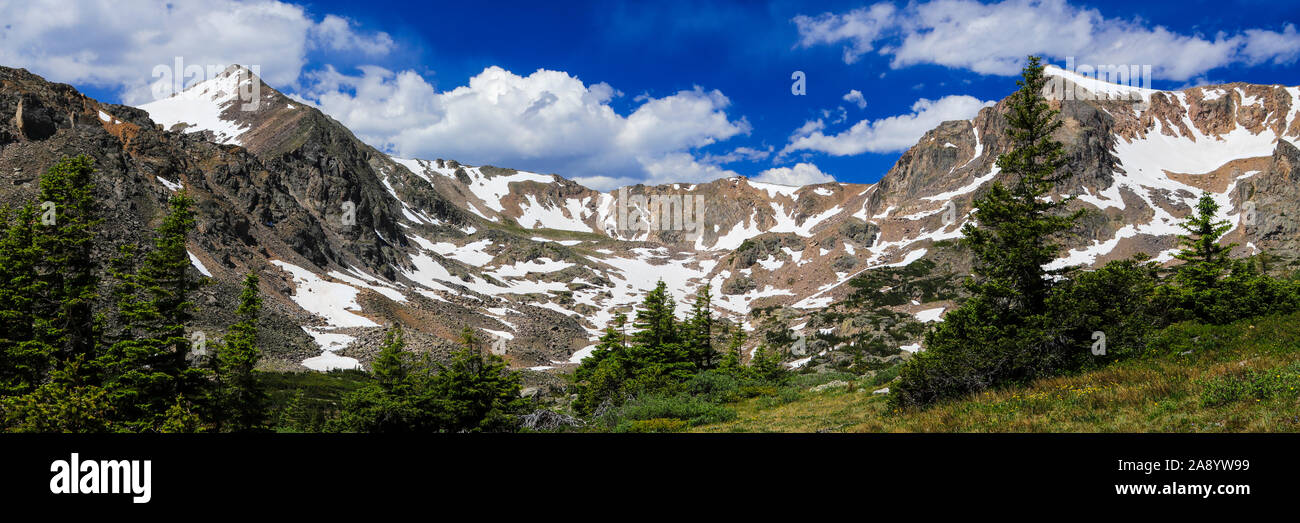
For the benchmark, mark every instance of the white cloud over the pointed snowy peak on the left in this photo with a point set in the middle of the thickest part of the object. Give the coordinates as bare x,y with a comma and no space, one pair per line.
118,45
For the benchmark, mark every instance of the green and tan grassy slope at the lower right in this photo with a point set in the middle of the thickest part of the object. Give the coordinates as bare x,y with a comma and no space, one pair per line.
1238,378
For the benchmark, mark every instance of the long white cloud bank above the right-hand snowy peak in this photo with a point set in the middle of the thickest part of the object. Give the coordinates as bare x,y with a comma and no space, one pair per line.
974,36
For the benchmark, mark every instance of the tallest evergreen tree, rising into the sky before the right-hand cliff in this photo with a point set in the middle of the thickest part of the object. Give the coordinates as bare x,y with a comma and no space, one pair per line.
1004,334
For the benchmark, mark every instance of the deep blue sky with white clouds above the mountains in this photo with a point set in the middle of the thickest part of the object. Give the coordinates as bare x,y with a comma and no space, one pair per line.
652,92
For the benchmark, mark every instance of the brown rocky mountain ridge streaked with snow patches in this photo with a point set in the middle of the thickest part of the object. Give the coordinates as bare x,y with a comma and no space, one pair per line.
349,239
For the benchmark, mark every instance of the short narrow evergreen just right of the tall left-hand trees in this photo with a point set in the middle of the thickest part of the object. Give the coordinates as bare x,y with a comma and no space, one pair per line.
244,403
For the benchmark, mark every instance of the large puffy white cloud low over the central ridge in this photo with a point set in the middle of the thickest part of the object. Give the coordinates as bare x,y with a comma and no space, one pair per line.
548,122
